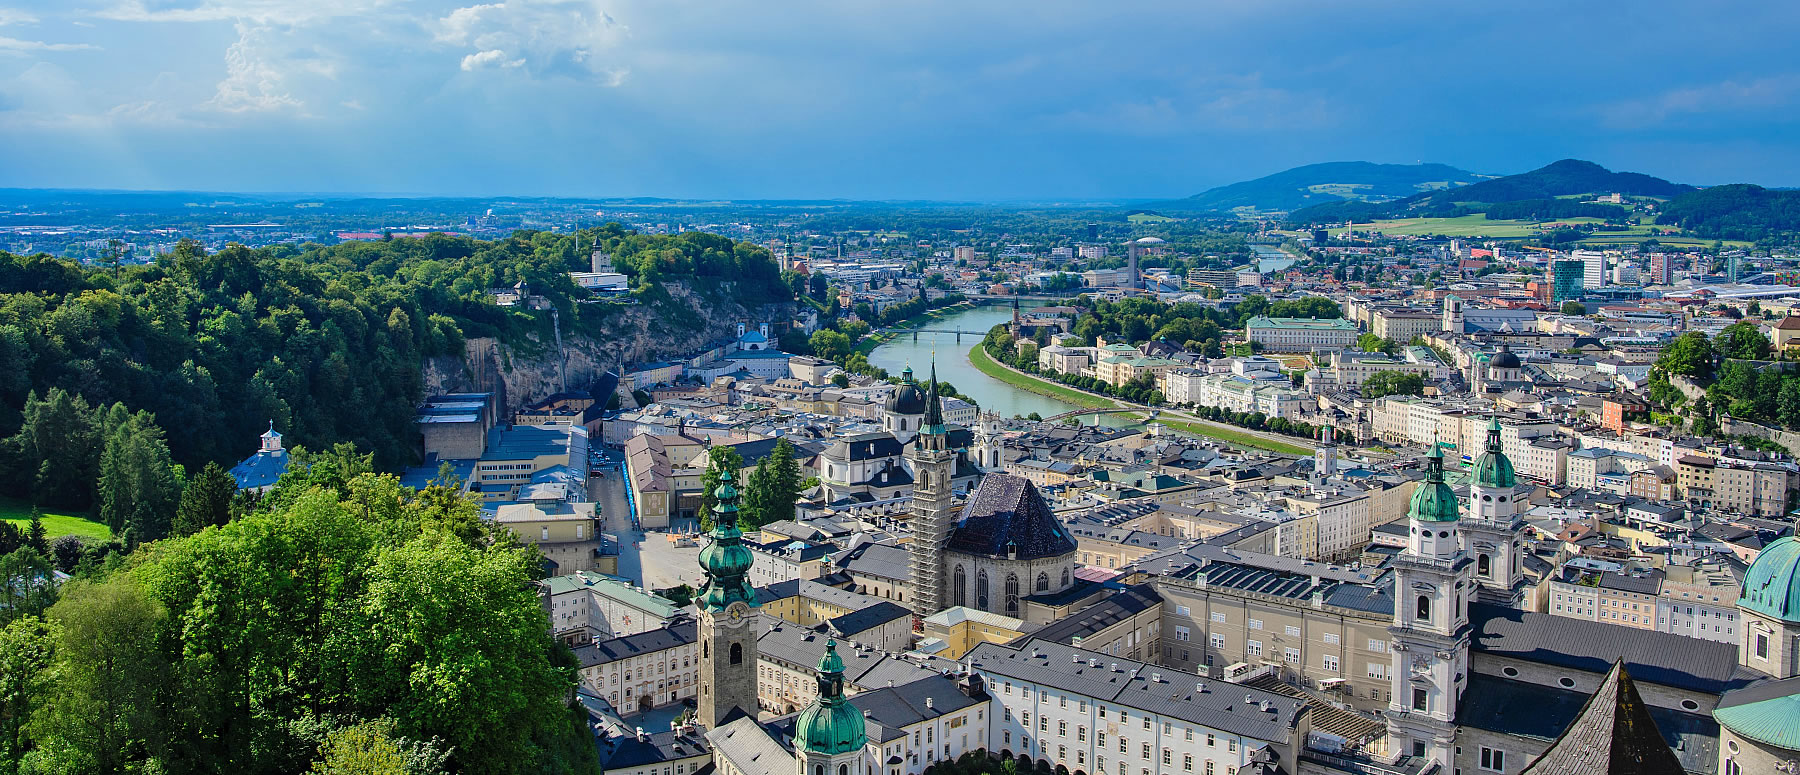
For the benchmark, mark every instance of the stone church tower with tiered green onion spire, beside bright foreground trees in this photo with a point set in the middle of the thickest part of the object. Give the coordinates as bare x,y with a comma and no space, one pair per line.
728,616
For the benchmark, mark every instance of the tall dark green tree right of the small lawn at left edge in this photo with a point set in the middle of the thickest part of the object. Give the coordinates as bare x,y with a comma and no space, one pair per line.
138,481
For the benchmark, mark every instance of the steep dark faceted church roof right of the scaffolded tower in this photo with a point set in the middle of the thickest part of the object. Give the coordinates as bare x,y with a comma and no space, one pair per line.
1009,512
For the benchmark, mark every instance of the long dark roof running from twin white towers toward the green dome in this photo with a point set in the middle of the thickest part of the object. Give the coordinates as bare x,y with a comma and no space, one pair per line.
1668,659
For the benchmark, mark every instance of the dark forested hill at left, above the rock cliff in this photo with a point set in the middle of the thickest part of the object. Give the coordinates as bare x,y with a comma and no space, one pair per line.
323,341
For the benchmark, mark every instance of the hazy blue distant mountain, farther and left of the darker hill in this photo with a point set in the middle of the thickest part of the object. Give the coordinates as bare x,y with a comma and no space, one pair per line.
1331,183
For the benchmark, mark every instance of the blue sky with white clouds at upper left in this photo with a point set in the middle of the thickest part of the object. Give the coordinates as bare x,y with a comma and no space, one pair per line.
917,100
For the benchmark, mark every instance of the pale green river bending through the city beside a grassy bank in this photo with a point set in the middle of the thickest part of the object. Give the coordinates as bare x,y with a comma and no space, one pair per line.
955,368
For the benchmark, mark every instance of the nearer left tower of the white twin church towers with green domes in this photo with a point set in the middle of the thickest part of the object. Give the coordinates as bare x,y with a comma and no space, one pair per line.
1430,627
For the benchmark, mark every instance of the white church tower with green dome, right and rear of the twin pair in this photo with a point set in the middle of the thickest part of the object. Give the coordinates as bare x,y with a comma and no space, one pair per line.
1493,528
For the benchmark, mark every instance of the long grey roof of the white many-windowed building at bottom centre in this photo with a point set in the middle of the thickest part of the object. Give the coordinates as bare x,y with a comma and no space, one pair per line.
1146,688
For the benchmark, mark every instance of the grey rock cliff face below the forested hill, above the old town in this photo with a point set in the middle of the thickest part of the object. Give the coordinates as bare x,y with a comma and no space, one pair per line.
679,328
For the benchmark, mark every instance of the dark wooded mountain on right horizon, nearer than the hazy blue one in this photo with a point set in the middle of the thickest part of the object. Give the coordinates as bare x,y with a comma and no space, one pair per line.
1545,193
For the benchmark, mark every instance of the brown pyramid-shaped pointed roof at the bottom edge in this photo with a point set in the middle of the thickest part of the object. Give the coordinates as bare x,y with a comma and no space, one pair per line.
1612,736
